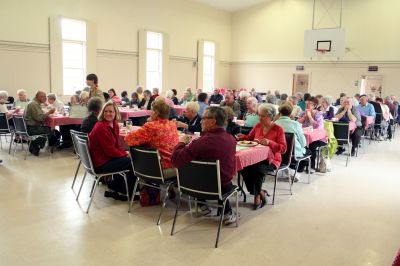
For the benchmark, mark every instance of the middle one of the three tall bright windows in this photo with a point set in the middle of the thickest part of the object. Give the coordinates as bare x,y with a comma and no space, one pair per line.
154,51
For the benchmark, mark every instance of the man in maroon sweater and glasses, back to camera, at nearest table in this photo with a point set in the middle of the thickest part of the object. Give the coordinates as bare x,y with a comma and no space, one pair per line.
215,144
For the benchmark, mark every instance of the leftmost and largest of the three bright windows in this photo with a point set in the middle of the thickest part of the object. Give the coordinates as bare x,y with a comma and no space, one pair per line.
73,34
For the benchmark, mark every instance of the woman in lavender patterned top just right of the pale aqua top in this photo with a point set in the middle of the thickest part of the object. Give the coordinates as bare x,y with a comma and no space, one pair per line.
311,117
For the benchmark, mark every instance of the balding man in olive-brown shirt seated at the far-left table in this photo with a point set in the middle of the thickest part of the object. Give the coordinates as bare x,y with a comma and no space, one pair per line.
34,118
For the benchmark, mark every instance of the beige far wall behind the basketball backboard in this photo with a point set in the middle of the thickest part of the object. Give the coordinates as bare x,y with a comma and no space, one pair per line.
267,44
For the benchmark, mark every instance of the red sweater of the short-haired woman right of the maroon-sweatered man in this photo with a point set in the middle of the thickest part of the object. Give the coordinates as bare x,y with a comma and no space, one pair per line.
277,141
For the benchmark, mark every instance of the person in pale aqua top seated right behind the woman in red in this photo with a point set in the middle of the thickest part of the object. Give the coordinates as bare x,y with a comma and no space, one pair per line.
292,126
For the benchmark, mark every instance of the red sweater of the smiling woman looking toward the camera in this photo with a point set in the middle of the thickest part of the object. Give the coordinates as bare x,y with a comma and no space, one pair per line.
104,143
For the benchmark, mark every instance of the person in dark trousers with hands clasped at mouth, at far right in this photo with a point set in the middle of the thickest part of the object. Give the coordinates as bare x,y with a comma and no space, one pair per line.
348,113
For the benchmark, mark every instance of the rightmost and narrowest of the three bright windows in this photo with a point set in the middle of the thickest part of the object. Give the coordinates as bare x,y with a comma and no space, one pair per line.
208,66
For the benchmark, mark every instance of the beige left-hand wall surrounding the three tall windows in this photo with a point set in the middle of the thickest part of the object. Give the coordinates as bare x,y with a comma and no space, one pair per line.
117,25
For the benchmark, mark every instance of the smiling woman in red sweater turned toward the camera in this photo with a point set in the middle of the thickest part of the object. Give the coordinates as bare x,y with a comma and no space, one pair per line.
106,149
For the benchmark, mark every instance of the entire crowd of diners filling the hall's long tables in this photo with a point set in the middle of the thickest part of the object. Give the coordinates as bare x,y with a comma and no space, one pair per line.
214,117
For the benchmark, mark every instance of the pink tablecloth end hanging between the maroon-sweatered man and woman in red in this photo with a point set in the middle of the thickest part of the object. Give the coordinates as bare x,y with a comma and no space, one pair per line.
252,155
